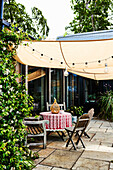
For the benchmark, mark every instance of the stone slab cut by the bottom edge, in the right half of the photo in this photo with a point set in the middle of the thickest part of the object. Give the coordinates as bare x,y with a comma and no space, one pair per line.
90,164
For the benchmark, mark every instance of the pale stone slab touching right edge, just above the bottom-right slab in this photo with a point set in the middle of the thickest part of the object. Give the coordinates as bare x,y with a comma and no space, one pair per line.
104,156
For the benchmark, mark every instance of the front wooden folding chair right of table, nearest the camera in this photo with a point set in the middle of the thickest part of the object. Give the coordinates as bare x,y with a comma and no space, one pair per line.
77,130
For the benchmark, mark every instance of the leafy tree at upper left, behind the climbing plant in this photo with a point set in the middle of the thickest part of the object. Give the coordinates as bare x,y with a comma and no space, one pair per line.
36,25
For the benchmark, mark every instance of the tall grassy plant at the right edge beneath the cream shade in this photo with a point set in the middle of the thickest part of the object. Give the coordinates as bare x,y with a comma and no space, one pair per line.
106,104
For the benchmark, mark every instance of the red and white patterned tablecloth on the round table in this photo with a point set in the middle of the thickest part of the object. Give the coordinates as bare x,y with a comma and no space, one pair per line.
57,121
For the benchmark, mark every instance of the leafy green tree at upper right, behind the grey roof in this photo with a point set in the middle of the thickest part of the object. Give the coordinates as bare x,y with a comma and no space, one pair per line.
90,15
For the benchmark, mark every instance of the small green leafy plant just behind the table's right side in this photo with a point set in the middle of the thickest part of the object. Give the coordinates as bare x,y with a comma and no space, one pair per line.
76,111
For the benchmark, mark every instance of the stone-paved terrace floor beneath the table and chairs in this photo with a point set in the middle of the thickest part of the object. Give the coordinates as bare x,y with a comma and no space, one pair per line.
97,155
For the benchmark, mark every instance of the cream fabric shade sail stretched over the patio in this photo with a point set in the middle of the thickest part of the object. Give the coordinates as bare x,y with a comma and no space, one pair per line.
71,54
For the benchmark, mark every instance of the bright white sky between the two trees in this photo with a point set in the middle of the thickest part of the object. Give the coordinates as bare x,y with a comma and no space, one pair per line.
57,12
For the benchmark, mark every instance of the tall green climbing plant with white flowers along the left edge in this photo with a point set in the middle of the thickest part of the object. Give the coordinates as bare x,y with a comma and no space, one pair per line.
14,106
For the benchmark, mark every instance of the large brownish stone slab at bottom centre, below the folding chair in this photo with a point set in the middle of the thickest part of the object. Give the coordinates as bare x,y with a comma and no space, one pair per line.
62,159
